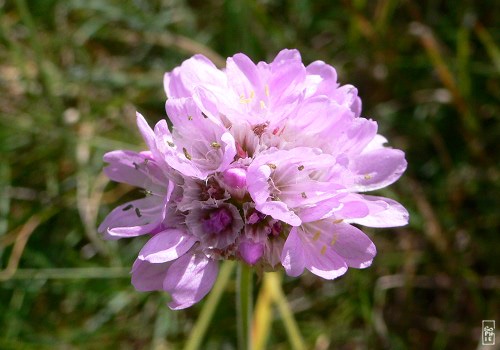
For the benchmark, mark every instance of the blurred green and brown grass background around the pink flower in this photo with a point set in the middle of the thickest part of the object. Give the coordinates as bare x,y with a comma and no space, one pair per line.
72,74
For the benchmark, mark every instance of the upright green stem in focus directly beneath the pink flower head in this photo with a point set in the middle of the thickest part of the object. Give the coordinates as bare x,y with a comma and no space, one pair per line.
244,306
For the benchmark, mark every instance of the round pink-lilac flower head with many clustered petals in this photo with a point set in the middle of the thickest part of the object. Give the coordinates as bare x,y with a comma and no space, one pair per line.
265,163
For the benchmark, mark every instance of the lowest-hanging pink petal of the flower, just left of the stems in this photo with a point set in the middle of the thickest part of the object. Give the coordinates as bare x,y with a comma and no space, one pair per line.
189,279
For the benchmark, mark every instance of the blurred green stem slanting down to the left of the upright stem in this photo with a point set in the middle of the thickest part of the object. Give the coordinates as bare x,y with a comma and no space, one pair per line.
201,326
